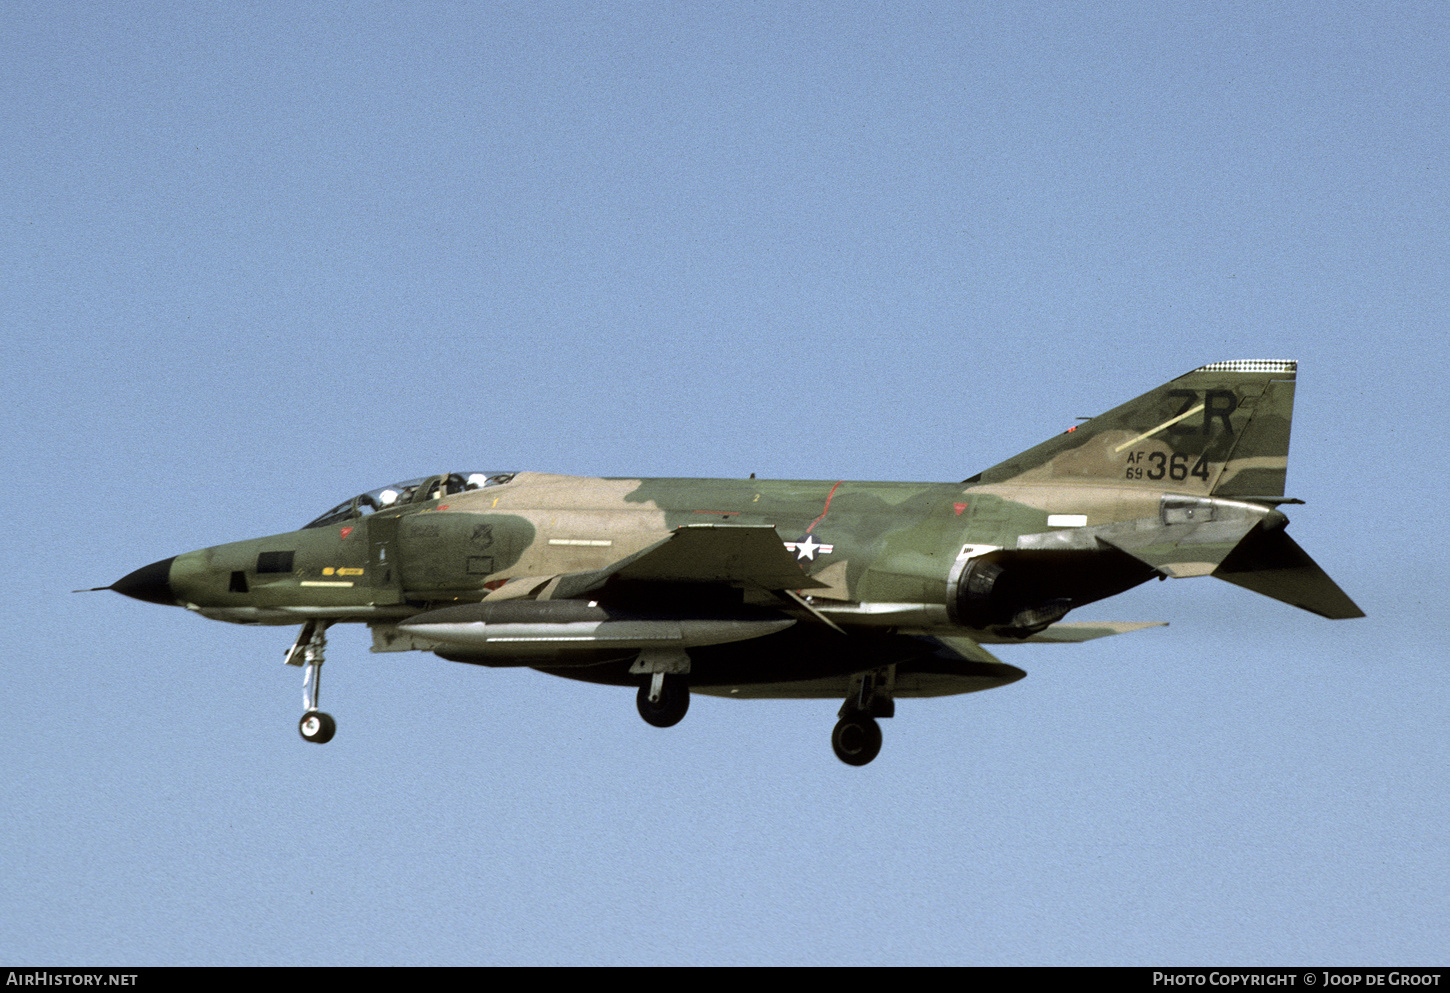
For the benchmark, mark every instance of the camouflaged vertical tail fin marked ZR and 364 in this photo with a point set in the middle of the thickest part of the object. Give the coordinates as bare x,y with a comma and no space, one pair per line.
1222,430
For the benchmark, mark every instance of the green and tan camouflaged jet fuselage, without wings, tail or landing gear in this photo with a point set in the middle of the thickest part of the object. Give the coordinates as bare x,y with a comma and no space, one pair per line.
881,554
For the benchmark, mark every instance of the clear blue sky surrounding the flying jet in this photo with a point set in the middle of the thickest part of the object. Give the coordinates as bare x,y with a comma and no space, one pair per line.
260,259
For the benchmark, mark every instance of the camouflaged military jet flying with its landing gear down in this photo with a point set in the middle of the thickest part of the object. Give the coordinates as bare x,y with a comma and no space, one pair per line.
863,592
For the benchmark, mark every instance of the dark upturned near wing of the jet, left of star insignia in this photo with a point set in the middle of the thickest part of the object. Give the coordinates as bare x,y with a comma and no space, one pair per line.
739,554
